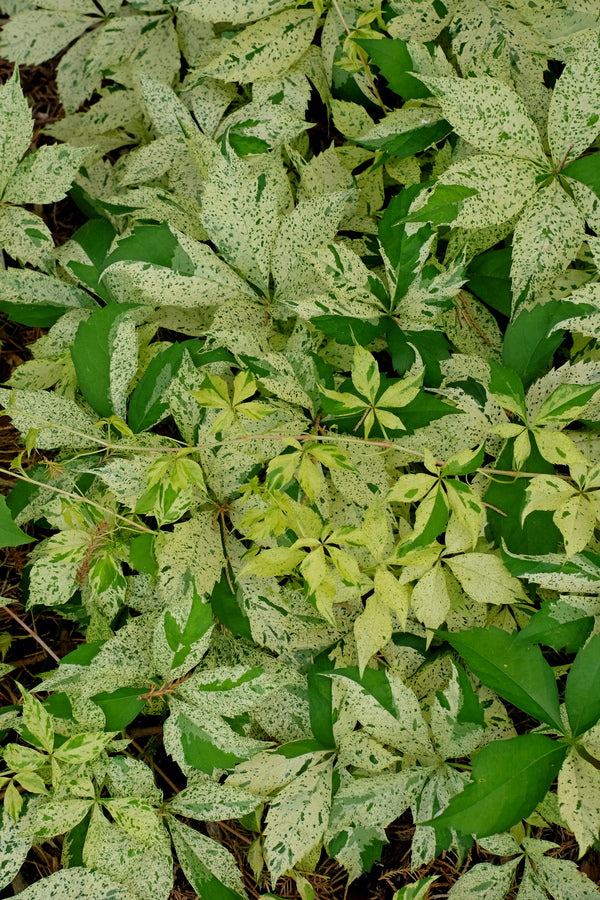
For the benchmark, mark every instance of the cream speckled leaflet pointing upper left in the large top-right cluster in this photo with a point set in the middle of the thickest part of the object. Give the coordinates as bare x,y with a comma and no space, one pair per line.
488,114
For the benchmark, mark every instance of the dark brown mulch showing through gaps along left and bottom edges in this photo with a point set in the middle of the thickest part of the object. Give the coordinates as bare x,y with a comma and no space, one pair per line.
30,660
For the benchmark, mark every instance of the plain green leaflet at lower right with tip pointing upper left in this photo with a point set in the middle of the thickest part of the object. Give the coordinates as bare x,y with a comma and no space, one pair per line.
515,670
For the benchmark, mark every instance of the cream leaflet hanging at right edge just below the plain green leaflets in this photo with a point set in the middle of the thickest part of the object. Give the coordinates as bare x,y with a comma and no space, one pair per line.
579,799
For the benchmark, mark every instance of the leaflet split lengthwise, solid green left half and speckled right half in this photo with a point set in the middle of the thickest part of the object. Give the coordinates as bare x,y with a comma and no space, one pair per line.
105,358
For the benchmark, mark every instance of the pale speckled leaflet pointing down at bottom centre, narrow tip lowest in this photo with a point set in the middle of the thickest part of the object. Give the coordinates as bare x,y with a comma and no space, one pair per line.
297,819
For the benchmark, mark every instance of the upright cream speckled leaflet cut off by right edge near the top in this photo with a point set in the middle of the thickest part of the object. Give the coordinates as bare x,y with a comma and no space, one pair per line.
573,117
